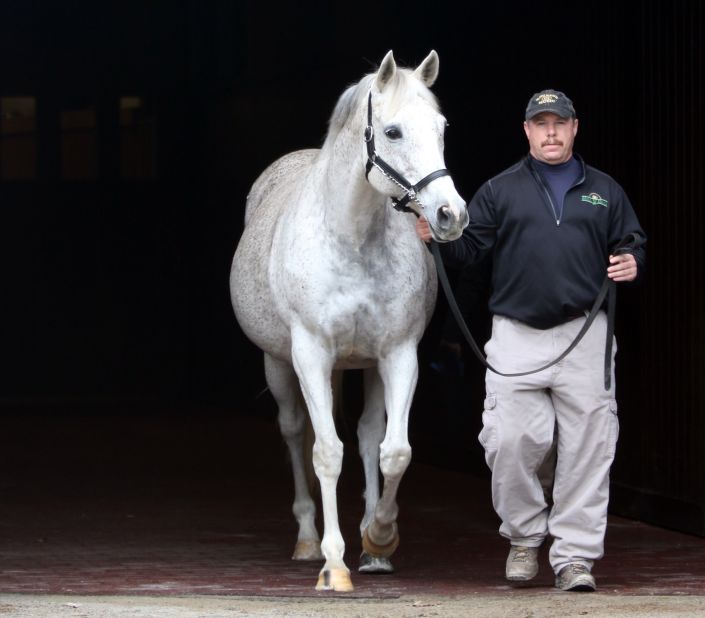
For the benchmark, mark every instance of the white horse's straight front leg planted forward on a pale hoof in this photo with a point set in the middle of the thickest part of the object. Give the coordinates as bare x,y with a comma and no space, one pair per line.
314,365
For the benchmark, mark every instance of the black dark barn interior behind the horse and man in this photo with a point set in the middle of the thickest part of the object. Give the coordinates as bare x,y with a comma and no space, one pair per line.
122,196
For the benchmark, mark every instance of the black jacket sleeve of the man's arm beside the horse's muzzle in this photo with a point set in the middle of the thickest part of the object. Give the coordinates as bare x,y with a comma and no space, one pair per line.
479,236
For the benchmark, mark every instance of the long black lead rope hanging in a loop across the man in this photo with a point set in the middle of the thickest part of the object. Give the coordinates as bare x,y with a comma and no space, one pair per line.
607,290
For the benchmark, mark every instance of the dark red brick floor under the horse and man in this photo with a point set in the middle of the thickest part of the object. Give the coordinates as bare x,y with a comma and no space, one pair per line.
176,506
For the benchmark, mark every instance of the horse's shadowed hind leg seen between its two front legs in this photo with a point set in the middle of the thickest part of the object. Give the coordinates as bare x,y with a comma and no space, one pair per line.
370,431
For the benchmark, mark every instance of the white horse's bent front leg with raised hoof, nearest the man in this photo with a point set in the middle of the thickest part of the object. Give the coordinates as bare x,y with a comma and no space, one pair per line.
399,372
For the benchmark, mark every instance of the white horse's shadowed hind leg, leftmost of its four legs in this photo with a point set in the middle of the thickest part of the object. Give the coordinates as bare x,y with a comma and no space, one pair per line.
294,426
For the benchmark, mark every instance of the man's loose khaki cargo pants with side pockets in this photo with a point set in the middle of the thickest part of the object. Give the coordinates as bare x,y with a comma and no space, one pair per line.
519,420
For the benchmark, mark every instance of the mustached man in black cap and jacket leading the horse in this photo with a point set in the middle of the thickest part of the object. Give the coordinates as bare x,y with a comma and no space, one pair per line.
551,223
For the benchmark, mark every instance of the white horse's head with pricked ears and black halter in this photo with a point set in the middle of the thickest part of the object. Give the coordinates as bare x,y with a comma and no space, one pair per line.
405,145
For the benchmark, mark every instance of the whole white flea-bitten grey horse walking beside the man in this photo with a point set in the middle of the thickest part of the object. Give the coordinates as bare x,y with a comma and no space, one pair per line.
327,276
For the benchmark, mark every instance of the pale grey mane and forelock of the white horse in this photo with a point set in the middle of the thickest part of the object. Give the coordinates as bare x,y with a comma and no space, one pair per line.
402,84
